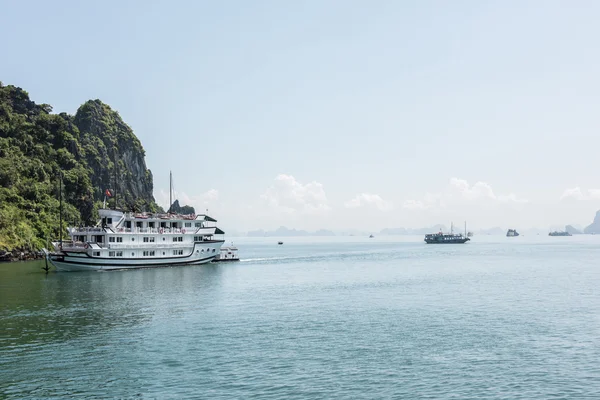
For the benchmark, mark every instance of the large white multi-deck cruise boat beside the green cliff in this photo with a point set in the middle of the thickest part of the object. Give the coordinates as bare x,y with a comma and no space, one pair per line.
143,240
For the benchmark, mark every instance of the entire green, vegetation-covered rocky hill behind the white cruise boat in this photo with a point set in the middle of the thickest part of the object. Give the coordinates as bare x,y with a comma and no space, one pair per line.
36,147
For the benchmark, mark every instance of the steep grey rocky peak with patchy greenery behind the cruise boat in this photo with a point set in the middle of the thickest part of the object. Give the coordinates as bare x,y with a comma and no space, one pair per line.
107,138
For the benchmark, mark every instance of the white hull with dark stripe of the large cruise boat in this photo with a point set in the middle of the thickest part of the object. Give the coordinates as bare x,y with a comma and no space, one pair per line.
72,261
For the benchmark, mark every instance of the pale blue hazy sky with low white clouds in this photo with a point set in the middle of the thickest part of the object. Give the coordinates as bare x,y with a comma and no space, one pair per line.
336,114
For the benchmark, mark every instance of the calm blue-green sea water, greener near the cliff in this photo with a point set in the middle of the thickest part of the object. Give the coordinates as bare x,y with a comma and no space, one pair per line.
316,318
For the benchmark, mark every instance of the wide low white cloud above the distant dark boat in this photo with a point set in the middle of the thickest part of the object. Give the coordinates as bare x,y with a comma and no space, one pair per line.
458,192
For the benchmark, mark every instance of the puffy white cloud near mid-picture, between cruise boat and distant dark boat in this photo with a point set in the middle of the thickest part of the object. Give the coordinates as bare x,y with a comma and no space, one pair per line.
290,196
